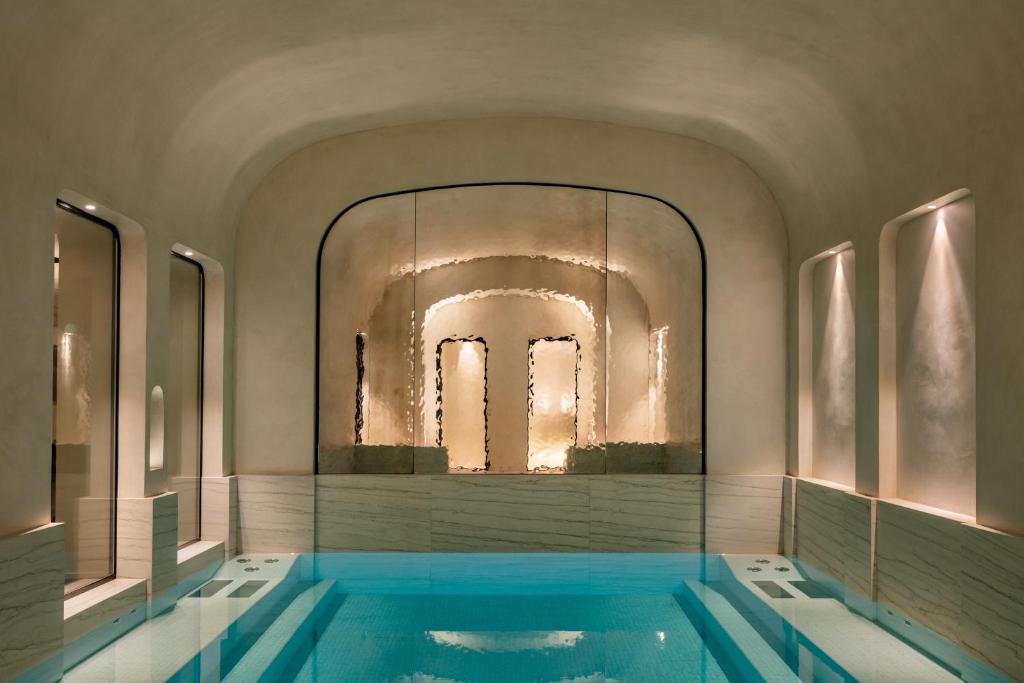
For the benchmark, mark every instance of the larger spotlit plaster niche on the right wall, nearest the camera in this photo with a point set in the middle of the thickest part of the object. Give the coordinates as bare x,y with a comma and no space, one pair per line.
927,352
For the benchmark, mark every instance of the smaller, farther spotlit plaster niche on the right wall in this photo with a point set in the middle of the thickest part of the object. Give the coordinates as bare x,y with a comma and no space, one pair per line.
828,372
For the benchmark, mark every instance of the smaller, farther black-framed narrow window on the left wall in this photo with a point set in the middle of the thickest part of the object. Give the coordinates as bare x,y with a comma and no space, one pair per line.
184,428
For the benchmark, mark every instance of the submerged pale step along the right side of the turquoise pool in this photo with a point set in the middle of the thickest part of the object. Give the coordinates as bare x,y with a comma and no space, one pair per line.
759,660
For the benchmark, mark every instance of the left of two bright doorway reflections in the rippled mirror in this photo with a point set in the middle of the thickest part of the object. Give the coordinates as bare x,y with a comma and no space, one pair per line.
462,402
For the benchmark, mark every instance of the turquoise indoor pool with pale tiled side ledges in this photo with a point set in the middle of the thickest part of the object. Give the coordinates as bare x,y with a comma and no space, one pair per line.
578,618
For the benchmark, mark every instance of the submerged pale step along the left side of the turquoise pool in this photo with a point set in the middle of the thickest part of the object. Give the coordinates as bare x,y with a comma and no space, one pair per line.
272,654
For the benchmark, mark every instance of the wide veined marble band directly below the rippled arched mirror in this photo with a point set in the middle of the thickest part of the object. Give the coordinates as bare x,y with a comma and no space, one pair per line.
511,514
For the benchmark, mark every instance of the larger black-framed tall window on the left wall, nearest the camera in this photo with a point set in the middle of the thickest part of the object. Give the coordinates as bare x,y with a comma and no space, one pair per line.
86,346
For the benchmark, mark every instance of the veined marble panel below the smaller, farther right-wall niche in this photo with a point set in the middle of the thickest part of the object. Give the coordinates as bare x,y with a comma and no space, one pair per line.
820,531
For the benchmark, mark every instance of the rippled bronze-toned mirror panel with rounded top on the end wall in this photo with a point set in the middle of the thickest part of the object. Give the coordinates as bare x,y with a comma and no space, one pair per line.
511,328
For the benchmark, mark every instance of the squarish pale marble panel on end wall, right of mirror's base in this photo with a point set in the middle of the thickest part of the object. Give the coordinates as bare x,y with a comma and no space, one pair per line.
744,514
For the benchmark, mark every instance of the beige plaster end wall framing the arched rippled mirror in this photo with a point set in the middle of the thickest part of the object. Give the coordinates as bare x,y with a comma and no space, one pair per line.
734,211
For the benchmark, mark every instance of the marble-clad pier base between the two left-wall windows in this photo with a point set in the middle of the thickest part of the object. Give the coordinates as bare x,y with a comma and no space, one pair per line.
148,540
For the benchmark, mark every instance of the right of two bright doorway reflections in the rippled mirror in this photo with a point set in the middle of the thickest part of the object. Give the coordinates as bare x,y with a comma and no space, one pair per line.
553,400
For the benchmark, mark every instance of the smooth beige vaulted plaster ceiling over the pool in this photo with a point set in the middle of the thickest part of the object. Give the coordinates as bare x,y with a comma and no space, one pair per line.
191,103
